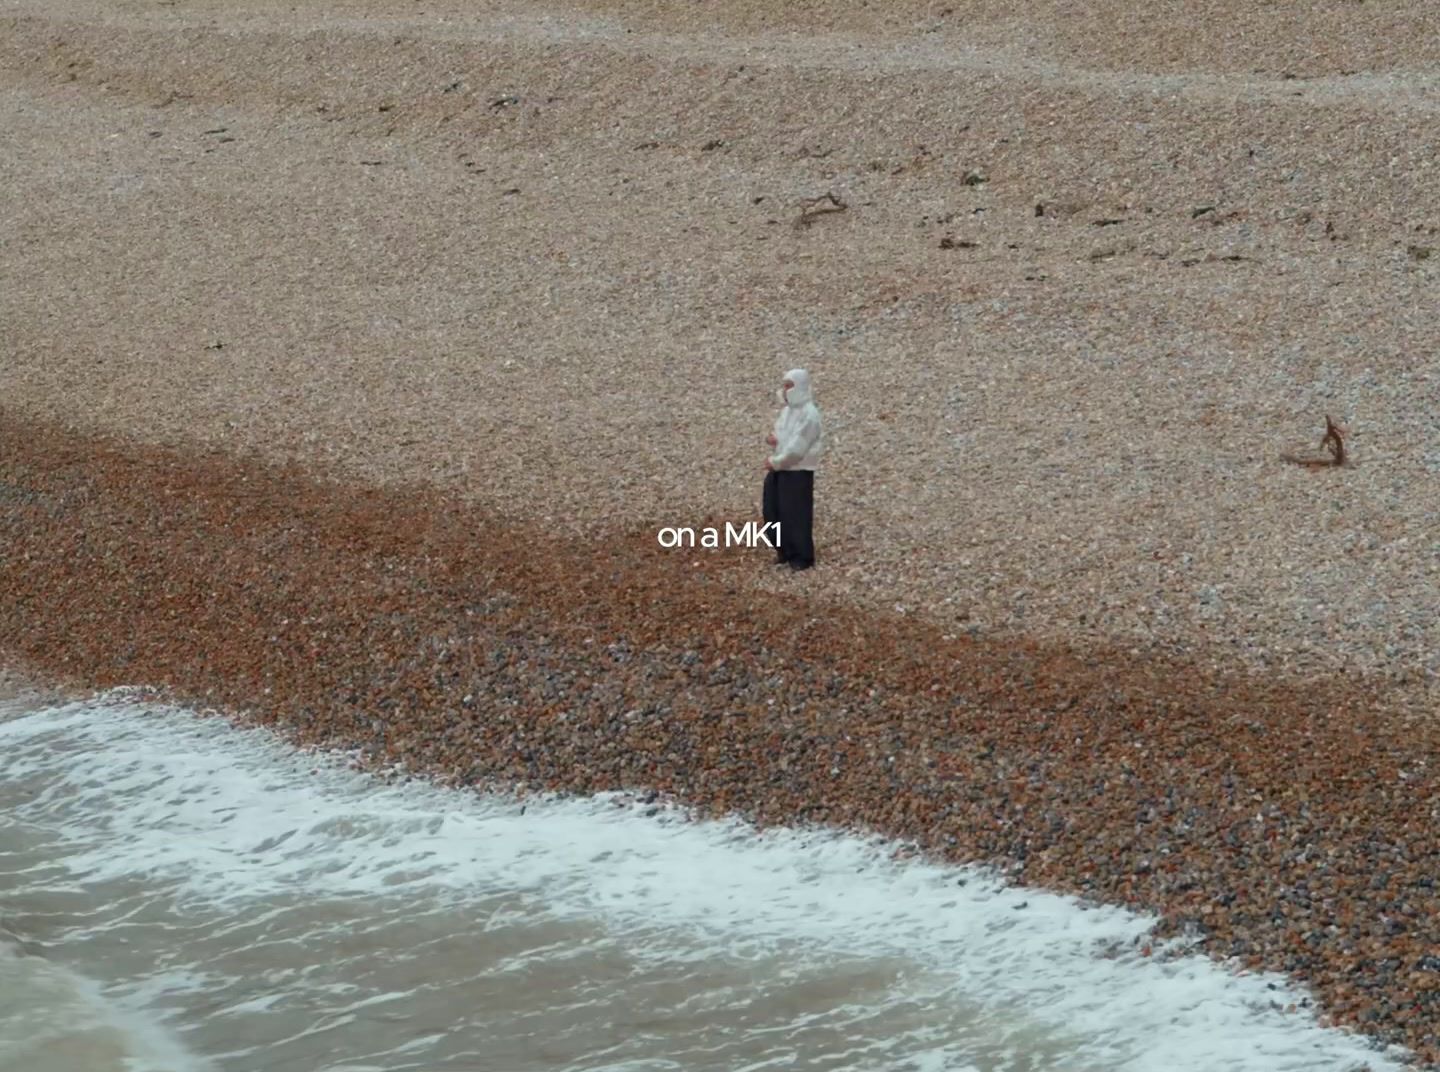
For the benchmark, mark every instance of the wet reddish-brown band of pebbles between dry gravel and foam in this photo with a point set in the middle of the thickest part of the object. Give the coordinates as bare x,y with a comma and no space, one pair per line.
1246,812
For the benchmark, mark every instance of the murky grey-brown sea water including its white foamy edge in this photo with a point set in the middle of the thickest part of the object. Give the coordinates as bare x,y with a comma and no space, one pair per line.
181,895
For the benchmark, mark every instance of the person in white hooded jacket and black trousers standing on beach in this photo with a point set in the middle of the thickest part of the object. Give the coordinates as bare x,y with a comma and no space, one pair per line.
790,472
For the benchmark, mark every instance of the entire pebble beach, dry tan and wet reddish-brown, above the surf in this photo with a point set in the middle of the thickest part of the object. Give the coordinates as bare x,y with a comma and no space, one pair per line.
355,358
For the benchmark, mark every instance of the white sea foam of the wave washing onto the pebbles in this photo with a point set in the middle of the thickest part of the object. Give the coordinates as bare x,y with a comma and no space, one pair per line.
234,821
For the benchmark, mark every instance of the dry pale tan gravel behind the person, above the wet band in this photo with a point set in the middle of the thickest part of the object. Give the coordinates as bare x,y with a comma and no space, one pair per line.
1068,430
